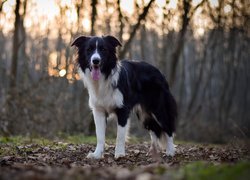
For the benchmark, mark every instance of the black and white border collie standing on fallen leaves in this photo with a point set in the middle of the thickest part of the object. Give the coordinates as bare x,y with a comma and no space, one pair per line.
118,87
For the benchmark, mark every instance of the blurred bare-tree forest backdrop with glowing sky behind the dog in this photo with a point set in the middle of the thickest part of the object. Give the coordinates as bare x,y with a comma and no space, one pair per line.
202,46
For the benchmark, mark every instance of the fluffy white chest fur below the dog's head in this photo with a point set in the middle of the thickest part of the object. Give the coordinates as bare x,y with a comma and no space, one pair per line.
102,94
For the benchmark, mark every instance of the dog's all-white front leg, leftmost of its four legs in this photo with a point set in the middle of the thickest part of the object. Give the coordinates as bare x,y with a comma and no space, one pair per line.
100,126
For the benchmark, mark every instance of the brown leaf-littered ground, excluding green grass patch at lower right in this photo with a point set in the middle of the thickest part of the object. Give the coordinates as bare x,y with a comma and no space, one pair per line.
68,161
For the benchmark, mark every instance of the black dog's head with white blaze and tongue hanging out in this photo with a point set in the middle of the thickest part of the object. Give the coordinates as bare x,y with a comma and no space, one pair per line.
98,54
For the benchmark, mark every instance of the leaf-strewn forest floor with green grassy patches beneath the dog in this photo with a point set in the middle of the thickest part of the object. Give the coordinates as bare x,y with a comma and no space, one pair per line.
43,159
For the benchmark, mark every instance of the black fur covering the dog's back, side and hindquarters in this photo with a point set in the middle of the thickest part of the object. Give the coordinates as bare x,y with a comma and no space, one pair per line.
143,84
